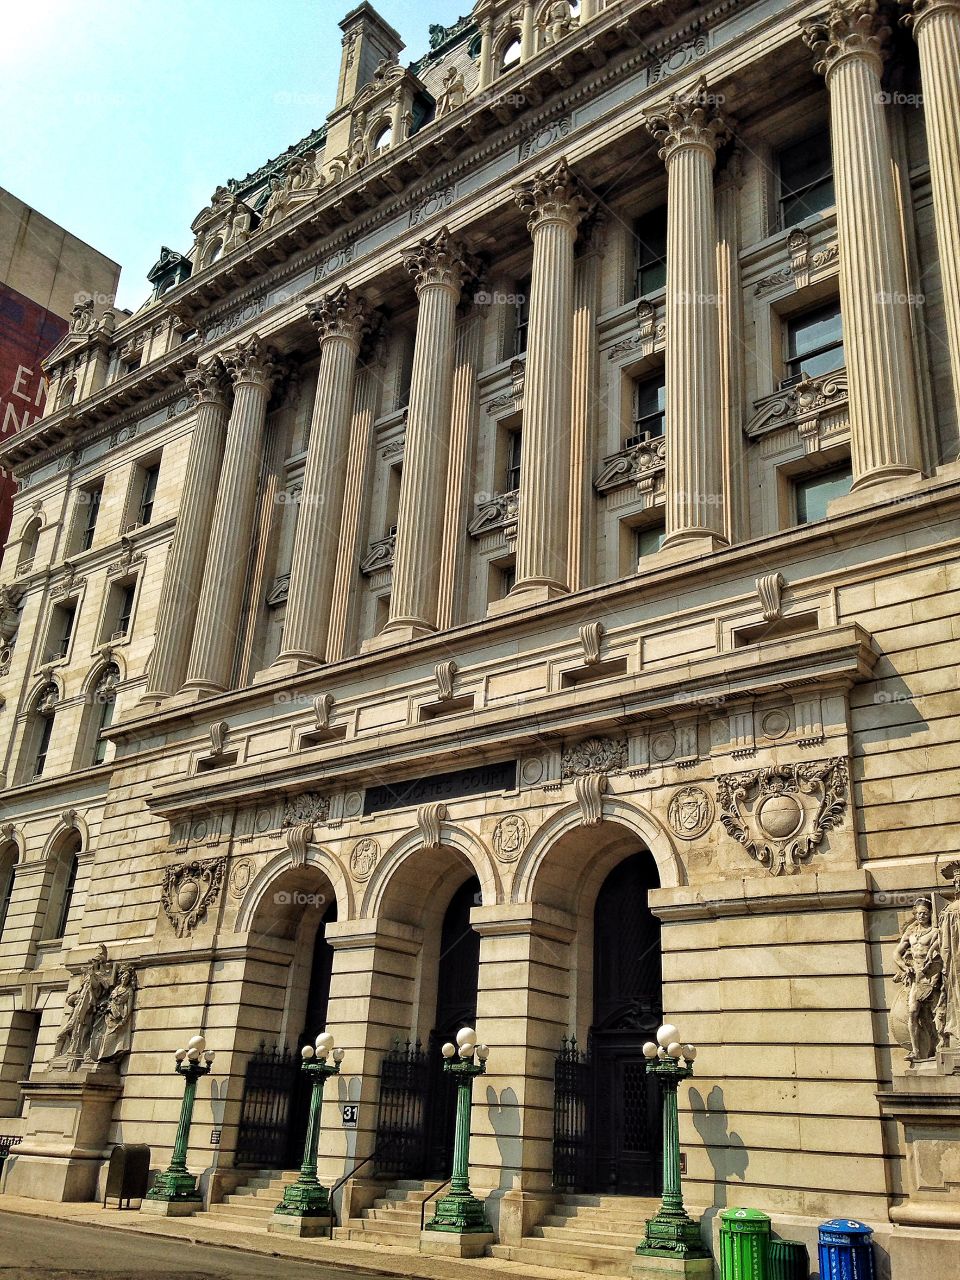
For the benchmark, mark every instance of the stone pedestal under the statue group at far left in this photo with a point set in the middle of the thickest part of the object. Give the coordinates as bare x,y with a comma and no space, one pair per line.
67,1123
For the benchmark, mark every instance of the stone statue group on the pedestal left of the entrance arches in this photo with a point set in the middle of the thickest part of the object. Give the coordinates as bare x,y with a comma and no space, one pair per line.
99,1012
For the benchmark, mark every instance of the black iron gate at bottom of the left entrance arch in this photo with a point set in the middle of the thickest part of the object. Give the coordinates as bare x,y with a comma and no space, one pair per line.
271,1090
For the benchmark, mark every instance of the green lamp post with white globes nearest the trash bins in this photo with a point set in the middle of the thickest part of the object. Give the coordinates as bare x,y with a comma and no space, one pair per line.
671,1233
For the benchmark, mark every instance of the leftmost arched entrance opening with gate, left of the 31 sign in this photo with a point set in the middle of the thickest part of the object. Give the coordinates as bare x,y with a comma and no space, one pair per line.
292,921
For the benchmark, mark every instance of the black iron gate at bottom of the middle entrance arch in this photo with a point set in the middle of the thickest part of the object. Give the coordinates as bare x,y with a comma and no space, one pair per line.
401,1122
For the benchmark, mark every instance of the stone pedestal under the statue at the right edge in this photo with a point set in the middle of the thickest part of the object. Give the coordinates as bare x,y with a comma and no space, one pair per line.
927,1104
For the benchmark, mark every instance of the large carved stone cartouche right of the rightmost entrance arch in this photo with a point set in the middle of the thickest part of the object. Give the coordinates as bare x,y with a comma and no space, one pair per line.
781,813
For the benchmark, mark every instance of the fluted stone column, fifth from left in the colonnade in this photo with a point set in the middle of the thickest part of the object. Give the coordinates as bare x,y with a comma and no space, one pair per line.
556,204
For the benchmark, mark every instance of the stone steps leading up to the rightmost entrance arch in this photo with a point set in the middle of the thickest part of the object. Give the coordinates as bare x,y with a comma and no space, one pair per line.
595,1235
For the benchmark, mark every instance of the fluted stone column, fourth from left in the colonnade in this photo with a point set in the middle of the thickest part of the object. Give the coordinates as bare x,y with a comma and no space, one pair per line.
440,266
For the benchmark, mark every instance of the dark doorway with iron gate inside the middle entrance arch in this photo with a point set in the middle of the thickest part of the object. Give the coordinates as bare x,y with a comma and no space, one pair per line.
418,1100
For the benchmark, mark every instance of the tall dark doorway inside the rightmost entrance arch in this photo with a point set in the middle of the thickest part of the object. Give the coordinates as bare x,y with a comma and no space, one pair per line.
628,1011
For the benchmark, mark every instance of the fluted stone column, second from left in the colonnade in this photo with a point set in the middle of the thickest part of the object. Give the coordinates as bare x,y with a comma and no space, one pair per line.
252,367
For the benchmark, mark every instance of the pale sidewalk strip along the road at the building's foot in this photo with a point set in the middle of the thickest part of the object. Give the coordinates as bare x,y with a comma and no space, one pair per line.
394,1263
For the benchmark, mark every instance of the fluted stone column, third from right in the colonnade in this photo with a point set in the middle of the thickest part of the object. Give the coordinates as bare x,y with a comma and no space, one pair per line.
689,132
